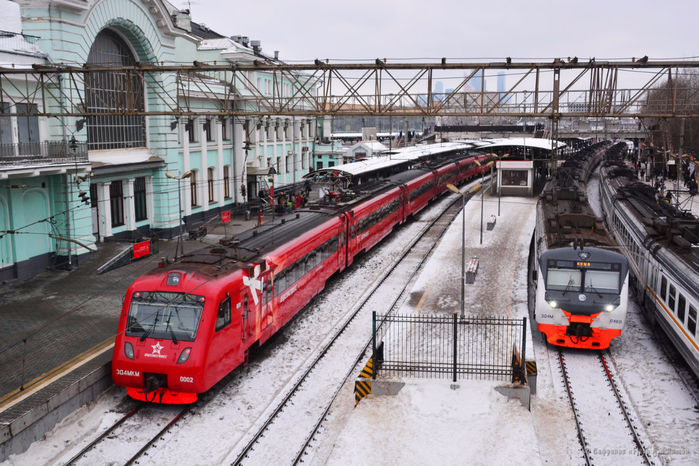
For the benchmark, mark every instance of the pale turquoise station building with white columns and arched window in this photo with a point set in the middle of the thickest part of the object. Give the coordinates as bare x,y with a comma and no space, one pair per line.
68,183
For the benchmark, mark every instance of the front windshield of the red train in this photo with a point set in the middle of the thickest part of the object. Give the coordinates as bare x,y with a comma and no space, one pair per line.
172,316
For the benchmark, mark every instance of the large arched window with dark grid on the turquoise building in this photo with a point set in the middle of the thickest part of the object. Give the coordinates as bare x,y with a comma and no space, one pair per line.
109,91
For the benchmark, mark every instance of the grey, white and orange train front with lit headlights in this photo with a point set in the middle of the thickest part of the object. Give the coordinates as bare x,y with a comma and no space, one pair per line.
582,297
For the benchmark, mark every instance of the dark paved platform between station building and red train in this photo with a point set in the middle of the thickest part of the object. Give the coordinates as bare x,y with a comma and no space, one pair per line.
58,334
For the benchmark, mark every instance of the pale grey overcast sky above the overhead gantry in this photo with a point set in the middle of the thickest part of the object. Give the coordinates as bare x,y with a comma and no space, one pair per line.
494,29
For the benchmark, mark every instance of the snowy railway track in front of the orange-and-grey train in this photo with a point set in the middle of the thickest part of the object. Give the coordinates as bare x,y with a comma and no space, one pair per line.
606,429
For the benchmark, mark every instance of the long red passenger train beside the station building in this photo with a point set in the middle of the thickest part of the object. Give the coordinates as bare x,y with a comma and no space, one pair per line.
184,326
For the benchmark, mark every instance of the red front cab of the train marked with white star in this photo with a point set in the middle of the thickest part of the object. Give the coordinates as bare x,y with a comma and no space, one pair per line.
164,343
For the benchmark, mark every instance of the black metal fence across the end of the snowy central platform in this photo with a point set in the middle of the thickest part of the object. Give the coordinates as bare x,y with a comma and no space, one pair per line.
440,346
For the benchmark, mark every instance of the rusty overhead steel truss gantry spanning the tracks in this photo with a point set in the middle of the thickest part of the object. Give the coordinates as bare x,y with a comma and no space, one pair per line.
560,89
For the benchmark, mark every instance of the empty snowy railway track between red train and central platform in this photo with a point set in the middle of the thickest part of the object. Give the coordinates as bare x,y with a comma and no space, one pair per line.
348,338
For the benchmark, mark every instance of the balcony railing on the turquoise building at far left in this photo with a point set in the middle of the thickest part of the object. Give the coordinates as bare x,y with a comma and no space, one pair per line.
34,154
